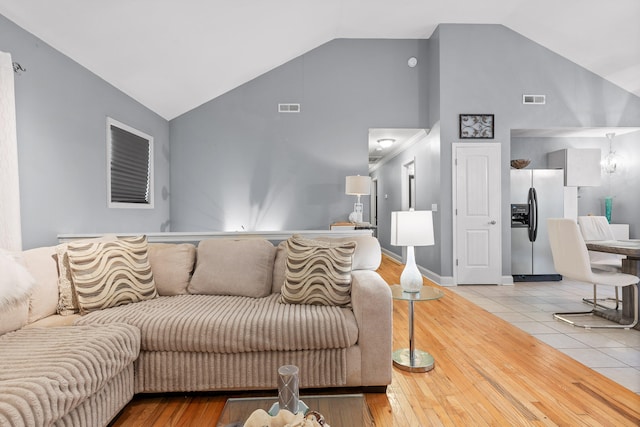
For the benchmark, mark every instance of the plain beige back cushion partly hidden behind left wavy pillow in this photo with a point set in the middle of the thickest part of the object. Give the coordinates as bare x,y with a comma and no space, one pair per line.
172,266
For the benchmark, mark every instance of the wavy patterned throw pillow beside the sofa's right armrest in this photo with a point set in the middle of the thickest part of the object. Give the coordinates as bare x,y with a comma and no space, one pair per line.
318,272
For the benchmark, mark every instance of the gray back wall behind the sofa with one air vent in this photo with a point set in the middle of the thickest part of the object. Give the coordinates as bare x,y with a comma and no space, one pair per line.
236,163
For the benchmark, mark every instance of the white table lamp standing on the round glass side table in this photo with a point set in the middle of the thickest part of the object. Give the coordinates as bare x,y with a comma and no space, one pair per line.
411,228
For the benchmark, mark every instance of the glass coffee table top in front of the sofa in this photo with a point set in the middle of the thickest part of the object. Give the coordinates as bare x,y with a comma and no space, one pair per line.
338,409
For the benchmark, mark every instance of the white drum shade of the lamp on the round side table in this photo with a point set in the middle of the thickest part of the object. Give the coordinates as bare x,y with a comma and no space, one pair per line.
412,228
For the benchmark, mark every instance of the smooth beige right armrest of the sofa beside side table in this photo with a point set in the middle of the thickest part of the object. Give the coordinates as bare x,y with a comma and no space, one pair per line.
373,309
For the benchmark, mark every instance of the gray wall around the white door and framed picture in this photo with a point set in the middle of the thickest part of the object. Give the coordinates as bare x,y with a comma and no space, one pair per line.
487,69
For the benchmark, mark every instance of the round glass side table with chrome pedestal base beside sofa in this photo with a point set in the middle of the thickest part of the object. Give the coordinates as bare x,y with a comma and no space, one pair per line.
410,359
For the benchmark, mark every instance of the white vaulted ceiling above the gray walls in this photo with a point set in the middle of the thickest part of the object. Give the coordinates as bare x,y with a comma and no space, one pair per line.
174,55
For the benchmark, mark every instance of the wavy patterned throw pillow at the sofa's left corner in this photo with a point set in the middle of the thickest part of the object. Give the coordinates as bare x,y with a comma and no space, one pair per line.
109,274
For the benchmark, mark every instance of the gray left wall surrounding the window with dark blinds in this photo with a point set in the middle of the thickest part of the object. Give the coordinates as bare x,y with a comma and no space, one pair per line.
61,111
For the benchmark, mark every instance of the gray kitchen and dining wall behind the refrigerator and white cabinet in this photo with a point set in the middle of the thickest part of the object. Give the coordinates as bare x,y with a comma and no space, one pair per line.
622,185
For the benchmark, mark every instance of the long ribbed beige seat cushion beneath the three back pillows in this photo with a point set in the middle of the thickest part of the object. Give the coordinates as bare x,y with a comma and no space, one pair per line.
232,324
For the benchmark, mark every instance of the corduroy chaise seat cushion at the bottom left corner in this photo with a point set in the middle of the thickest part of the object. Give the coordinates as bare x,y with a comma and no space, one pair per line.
47,372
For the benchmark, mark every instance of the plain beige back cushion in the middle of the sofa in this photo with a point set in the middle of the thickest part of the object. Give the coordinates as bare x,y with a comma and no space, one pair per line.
233,267
